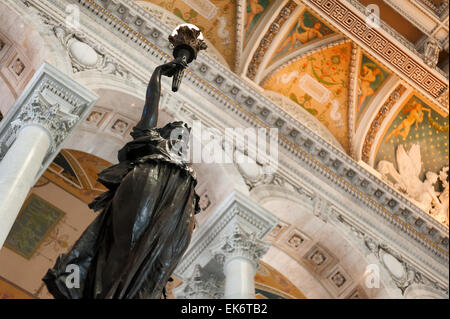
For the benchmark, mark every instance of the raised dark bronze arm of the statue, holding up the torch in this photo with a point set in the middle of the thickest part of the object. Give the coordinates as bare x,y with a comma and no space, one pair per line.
149,116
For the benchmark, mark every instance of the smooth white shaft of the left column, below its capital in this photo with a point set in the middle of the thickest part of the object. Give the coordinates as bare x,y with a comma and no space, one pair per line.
18,169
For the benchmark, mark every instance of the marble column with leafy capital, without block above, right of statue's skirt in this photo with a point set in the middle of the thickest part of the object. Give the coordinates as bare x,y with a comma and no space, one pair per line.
240,253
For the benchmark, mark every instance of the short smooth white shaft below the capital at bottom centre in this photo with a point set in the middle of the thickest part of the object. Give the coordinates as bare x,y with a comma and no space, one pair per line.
239,279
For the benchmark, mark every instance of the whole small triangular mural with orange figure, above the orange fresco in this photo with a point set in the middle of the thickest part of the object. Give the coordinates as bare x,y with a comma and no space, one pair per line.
306,29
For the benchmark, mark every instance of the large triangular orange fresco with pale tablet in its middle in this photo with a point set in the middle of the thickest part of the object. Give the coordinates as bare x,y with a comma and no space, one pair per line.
319,83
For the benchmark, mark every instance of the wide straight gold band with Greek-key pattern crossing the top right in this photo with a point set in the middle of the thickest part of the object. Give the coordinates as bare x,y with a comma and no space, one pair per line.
343,18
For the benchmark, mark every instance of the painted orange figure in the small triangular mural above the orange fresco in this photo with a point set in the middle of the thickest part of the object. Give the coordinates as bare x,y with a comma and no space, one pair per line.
305,35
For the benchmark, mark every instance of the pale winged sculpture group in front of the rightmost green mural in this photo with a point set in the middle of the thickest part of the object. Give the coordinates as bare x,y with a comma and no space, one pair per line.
407,181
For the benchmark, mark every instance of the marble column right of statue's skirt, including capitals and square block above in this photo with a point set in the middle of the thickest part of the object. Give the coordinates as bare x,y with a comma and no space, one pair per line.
222,259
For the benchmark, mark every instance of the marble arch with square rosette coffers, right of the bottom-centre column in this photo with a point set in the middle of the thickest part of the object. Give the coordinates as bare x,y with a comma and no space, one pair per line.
314,255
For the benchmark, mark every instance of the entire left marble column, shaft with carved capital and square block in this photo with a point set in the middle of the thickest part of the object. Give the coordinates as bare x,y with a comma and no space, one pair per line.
32,133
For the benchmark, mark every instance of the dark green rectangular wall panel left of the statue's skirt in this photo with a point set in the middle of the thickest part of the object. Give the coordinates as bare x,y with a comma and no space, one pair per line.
35,221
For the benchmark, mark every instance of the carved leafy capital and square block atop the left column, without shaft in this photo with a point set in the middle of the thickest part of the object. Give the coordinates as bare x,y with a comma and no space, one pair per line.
51,100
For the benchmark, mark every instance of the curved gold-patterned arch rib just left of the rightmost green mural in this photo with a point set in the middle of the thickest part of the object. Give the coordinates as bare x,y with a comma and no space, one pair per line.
376,123
